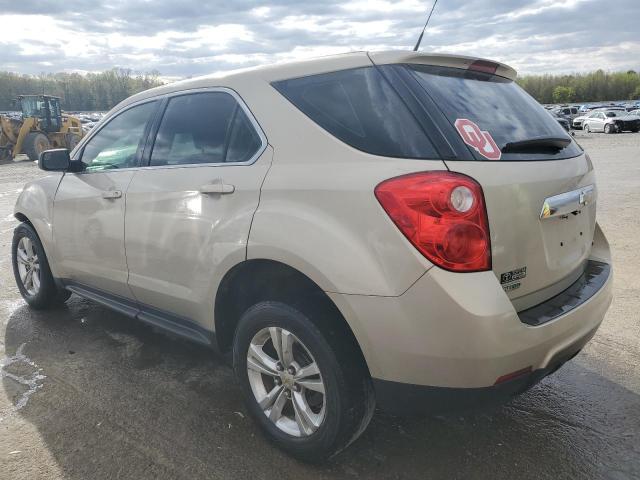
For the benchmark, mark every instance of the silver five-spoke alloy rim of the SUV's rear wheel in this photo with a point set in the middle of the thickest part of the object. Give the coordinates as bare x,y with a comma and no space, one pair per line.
286,381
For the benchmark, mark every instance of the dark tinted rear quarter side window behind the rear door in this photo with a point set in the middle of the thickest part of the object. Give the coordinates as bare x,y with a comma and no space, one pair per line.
361,109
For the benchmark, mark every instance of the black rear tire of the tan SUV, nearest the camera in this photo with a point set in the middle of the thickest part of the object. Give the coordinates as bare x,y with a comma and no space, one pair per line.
347,405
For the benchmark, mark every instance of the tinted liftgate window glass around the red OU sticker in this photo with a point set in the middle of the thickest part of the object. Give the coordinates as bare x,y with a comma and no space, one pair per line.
496,105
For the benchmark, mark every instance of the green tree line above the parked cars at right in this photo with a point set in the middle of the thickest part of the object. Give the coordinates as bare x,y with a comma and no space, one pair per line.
595,86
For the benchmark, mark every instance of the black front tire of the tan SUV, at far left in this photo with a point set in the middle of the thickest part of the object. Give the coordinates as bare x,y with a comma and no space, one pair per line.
41,292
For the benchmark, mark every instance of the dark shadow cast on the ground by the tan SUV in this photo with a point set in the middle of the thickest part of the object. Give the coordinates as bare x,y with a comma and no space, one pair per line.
114,399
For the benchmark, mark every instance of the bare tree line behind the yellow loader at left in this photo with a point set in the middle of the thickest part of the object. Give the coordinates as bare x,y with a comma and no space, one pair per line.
91,91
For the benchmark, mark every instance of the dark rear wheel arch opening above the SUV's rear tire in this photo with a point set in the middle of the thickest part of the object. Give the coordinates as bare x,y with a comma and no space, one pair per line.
257,280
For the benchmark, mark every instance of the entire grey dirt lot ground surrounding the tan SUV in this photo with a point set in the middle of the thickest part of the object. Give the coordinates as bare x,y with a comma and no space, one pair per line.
88,394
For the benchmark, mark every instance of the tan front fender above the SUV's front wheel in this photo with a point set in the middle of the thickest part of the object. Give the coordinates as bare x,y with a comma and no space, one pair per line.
35,202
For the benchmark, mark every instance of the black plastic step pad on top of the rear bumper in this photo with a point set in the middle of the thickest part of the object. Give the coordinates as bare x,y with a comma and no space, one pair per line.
588,284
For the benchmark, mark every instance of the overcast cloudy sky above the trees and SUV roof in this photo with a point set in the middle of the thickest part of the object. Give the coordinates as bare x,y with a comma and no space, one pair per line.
181,38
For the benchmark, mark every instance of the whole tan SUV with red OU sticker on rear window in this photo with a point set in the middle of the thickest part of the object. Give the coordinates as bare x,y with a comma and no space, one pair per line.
400,229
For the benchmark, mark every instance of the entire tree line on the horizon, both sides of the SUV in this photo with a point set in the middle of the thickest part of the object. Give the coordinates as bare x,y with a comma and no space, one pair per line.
101,91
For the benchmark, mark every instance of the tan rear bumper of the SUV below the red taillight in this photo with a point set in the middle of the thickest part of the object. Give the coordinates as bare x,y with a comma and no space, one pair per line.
461,332
